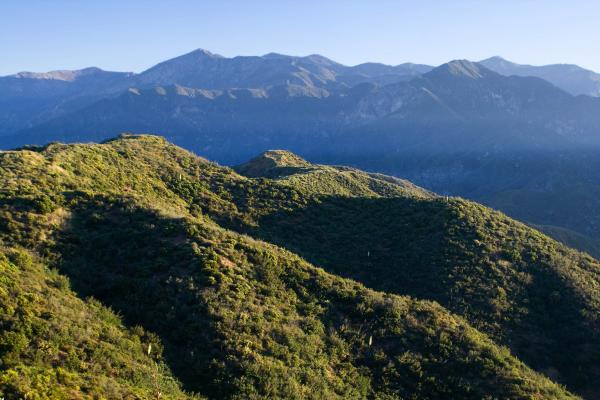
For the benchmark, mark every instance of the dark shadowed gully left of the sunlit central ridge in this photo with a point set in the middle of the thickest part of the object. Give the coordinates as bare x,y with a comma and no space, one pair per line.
141,265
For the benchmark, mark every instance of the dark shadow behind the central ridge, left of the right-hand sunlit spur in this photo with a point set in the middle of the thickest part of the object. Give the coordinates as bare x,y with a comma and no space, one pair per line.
375,241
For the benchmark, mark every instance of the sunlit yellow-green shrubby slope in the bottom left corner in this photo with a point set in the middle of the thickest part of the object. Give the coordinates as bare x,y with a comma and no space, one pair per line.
55,346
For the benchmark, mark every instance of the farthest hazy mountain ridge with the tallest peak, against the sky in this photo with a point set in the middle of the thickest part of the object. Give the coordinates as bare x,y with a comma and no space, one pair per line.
30,98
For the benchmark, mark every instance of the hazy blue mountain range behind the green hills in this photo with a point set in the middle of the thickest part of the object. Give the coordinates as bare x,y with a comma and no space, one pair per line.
510,136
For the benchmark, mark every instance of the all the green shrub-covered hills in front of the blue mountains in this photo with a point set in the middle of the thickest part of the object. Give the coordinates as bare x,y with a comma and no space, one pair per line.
169,242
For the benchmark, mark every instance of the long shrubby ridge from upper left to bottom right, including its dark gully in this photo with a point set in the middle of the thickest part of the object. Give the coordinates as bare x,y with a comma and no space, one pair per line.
238,318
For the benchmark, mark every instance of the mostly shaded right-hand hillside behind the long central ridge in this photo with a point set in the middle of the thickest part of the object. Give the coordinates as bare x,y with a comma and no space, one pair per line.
498,275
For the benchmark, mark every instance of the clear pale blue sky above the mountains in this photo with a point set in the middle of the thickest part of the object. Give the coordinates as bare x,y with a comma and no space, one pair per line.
132,35
